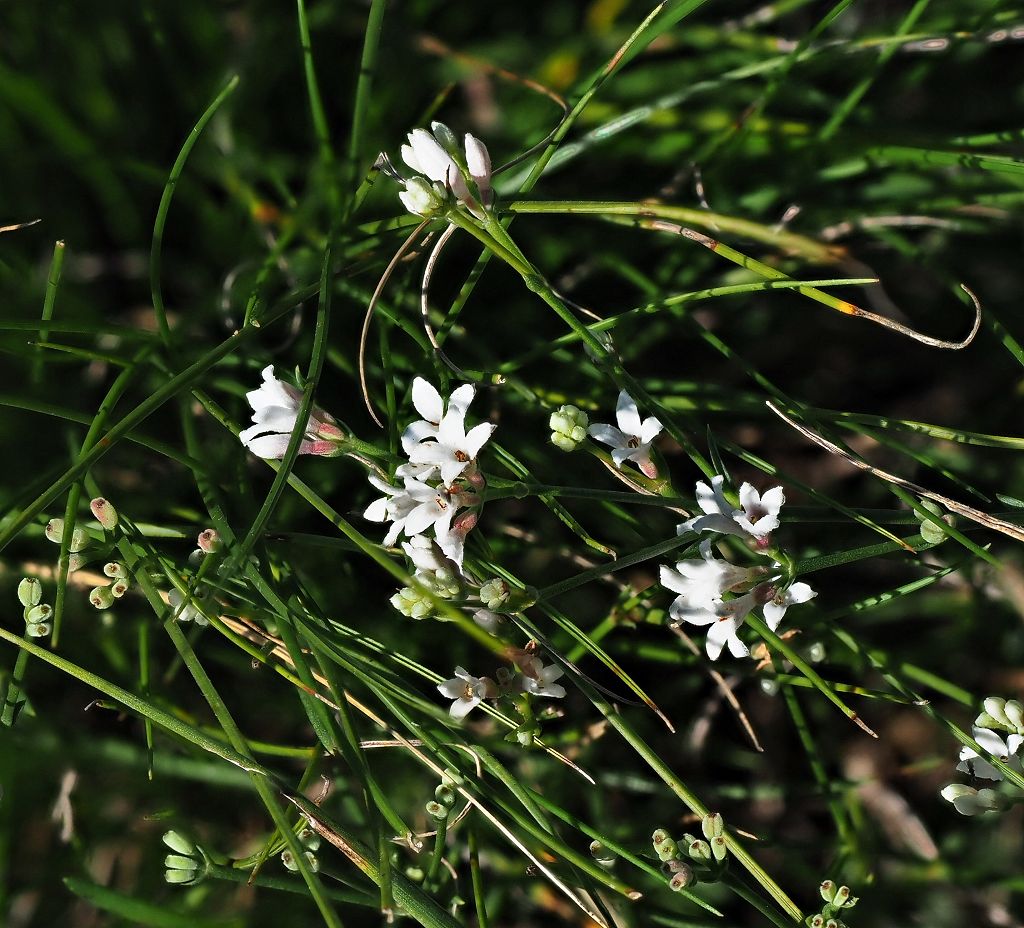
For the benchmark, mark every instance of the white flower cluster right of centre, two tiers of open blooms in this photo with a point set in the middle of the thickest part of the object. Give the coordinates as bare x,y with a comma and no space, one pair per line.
720,595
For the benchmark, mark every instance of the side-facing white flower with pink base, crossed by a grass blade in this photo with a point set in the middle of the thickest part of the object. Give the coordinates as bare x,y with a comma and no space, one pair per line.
276,407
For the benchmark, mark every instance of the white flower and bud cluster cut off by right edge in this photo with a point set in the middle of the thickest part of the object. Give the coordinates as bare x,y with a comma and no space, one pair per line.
999,716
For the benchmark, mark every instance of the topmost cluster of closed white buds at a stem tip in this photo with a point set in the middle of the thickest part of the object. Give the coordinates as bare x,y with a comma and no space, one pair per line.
444,167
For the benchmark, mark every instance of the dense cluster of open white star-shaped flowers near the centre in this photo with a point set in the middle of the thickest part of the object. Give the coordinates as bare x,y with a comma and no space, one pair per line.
441,479
